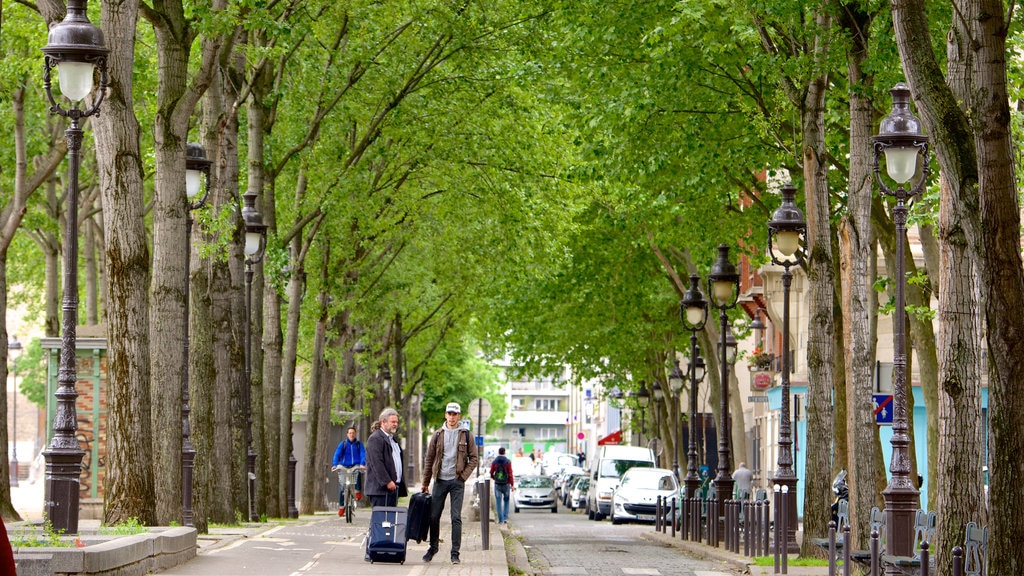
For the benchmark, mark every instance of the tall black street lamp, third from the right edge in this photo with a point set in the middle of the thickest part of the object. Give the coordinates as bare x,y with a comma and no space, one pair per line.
723,285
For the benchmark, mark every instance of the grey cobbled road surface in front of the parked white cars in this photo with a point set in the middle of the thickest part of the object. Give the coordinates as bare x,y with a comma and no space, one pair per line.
568,544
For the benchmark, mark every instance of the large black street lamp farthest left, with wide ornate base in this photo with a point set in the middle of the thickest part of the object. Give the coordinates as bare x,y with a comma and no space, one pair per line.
76,48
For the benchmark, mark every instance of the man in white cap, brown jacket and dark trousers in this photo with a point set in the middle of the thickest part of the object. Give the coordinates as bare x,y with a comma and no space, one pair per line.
452,458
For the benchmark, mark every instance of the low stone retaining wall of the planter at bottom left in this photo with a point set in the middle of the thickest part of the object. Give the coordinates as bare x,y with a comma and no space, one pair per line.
116,556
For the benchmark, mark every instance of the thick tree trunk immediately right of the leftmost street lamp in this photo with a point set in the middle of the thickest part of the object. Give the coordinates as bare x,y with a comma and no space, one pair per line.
130,484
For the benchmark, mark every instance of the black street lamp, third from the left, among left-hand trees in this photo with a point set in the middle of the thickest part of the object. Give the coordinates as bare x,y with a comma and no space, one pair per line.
254,246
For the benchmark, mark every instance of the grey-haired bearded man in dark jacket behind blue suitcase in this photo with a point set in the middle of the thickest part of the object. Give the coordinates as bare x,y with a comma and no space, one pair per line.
385,482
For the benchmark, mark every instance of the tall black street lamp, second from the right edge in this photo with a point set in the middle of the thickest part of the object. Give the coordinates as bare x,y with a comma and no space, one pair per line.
786,235
